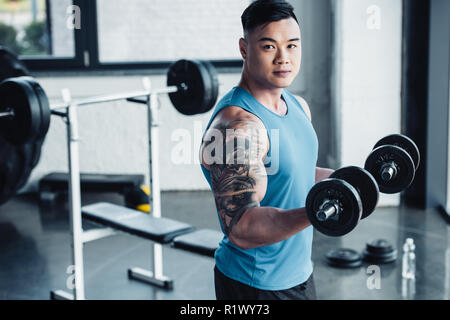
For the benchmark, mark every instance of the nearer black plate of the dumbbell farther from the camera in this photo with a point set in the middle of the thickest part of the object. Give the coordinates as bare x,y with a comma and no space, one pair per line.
404,164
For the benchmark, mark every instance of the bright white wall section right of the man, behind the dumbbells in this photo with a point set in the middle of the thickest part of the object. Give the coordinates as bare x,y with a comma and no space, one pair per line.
367,76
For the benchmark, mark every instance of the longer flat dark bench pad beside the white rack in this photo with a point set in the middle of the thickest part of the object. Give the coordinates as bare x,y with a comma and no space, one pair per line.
161,230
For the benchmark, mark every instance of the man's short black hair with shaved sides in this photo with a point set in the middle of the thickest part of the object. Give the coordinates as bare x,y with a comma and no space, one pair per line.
260,12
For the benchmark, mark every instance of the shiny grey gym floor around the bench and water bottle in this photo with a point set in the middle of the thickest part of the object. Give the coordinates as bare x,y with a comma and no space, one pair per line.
35,254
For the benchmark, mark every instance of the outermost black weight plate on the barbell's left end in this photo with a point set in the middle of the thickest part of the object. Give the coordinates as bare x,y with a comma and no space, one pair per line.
17,95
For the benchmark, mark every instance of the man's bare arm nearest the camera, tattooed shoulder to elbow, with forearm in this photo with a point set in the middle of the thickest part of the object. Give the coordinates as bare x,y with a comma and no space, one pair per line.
239,182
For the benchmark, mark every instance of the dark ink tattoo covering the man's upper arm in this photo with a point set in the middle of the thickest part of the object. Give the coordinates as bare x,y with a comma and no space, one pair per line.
234,181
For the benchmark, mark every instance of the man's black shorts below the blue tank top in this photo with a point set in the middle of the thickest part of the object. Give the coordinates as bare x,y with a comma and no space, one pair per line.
229,289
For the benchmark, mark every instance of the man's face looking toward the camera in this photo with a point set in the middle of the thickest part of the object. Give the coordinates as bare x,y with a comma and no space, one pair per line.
272,53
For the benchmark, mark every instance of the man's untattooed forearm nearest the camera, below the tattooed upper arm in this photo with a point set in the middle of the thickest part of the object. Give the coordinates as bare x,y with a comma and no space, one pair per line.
263,226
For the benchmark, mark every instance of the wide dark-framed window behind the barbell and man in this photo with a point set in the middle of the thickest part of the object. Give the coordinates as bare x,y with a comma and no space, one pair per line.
121,34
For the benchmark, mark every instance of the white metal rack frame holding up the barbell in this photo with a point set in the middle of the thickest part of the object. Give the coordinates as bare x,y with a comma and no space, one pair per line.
78,236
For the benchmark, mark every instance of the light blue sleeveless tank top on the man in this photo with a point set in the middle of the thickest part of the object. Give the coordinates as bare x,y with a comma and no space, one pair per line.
290,166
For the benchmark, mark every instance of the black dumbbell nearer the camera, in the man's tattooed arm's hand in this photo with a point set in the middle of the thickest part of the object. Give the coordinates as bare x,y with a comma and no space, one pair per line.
335,205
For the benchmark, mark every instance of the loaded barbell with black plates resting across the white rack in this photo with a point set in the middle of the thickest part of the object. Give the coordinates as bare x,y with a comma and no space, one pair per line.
25,109
